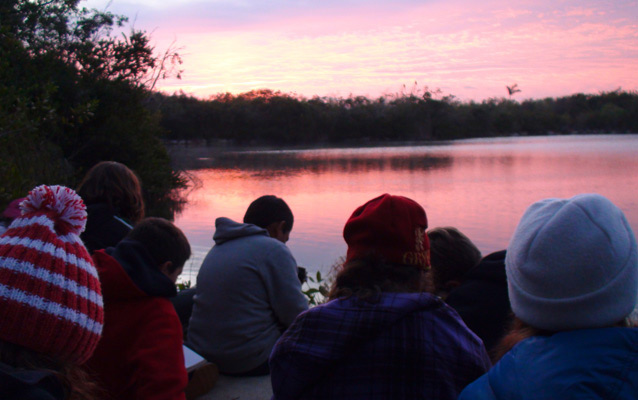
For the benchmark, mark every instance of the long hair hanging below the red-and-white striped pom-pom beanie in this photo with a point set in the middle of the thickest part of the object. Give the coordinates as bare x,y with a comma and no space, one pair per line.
76,381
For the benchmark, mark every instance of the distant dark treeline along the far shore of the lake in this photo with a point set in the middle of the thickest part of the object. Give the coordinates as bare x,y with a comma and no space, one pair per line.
419,114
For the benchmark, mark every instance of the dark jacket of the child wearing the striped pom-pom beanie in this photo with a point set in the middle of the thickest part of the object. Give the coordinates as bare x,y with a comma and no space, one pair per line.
20,384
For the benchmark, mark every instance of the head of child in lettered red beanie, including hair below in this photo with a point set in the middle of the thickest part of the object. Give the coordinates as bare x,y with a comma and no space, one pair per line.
388,249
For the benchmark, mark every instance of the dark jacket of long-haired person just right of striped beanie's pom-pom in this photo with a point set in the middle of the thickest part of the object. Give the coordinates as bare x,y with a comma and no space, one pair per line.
103,228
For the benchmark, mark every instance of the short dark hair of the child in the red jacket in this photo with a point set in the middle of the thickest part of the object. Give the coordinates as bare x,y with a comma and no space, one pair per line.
163,240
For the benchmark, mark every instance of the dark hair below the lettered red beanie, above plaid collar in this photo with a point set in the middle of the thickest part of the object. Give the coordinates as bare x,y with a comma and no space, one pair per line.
366,279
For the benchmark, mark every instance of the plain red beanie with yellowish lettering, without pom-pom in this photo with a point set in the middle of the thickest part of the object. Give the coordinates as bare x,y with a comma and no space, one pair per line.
391,228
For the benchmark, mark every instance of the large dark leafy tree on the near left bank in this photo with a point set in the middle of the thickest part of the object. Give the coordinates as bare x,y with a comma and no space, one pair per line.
72,93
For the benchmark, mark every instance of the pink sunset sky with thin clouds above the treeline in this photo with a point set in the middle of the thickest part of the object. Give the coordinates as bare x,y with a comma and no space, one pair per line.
466,48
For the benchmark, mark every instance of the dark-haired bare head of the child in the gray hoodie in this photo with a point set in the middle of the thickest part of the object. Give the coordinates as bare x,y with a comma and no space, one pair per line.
271,213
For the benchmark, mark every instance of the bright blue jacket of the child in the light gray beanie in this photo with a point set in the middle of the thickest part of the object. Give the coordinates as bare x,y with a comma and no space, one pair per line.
581,364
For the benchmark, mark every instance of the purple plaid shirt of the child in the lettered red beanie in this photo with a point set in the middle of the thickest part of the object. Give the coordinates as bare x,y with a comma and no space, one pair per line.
403,346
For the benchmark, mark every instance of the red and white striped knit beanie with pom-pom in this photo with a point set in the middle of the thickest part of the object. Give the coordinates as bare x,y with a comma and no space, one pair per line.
50,295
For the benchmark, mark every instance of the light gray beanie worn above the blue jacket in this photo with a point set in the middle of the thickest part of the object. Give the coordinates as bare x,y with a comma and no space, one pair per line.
572,264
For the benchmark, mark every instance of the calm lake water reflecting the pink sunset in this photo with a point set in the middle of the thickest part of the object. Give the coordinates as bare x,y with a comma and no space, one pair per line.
480,186
